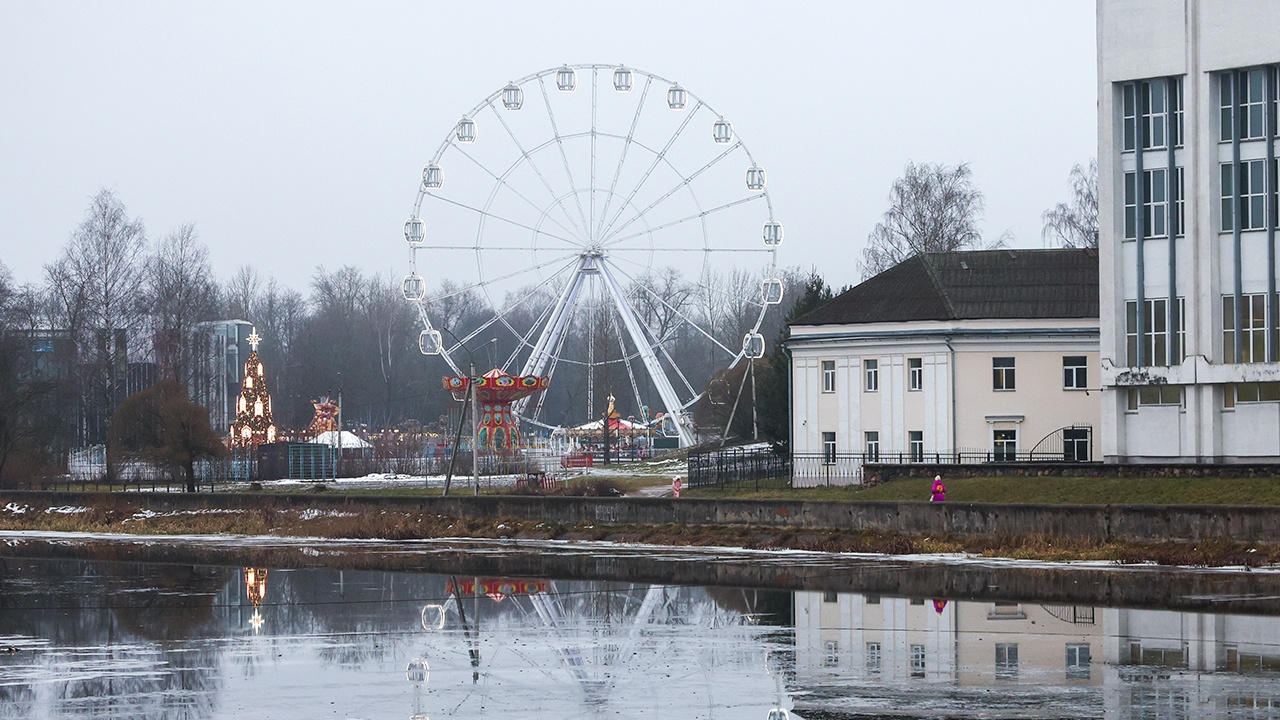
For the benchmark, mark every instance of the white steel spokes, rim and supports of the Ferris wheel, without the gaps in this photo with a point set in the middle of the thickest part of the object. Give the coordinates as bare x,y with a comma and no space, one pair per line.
591,256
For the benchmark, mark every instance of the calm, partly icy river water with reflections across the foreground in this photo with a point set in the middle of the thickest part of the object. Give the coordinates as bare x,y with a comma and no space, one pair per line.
212,628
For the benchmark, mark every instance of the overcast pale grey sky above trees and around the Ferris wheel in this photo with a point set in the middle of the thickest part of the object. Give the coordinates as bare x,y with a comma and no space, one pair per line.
292,135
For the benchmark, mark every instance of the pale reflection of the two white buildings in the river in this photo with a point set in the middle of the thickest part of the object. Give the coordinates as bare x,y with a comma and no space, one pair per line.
1113,663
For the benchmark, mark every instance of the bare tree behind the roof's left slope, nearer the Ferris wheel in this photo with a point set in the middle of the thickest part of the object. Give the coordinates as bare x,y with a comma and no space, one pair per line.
934,208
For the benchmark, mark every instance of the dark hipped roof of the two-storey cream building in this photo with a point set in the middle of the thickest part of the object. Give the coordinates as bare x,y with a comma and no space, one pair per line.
972,285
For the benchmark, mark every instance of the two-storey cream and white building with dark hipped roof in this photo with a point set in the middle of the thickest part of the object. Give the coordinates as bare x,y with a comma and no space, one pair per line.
989,354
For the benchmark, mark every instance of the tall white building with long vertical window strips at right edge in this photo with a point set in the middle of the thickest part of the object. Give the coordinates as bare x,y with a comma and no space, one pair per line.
1187,230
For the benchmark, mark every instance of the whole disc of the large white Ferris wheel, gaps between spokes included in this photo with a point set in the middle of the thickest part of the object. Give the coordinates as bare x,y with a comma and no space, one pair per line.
607,221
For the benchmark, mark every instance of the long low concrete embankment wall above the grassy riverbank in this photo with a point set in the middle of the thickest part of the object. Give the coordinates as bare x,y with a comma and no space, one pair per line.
1085,522
